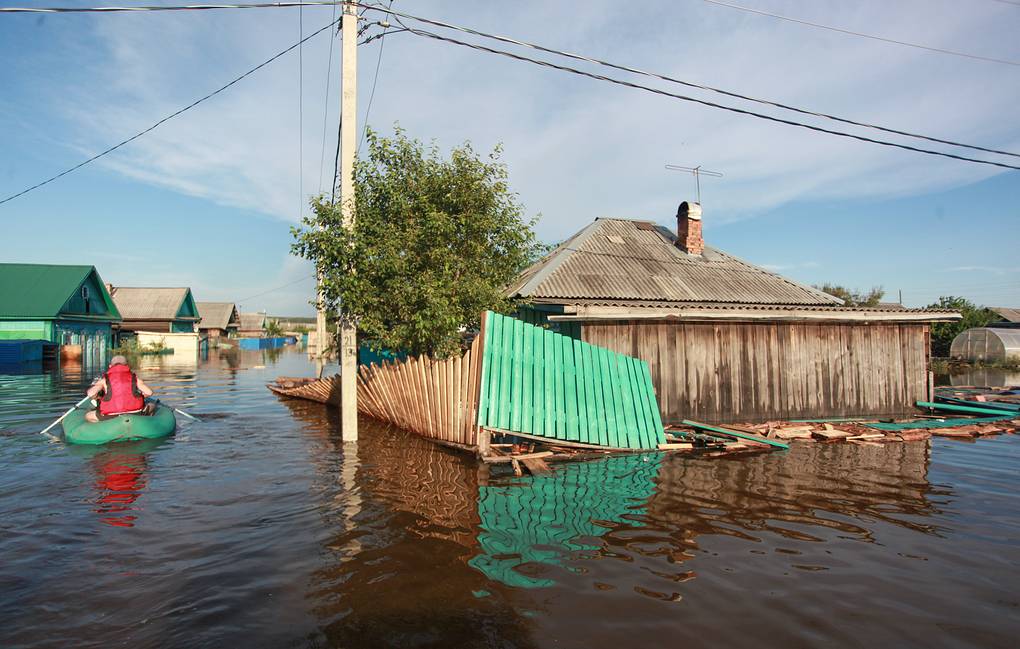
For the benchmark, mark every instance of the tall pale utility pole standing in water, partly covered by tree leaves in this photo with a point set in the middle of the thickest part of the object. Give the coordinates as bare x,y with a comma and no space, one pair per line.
349,116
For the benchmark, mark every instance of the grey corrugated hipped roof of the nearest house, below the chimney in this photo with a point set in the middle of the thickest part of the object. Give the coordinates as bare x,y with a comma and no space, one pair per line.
622,260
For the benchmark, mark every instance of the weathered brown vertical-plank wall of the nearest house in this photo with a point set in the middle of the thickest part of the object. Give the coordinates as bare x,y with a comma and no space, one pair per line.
757,372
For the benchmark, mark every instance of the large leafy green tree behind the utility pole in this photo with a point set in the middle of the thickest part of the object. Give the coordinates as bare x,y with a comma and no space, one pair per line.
437,241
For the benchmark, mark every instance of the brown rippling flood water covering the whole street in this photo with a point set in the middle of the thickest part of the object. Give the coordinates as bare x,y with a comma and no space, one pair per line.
258,528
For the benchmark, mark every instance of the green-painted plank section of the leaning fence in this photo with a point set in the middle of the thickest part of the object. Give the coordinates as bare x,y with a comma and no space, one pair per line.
537,382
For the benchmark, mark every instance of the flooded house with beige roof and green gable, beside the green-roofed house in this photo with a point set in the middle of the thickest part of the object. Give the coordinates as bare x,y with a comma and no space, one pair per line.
163,316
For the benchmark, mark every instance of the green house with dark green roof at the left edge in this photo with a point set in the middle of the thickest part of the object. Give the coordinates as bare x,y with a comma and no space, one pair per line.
63,305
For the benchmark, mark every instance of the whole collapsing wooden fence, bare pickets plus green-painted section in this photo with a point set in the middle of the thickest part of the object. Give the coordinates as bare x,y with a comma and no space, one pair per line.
517,379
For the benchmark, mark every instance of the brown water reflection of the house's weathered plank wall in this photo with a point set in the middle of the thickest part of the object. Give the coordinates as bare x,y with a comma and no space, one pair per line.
813,486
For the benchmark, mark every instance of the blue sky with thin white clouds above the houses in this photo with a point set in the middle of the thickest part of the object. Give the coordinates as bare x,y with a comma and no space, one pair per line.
208,201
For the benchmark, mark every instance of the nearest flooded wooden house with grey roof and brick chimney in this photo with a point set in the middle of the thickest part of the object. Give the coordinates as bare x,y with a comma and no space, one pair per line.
726,340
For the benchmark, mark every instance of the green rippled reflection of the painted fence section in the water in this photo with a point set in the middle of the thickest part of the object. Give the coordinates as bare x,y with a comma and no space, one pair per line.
547,517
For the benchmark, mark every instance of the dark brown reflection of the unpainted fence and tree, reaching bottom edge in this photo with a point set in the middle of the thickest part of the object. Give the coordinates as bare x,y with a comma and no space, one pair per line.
402,529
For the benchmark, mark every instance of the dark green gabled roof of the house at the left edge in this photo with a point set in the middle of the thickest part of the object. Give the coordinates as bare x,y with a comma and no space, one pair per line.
43,291
